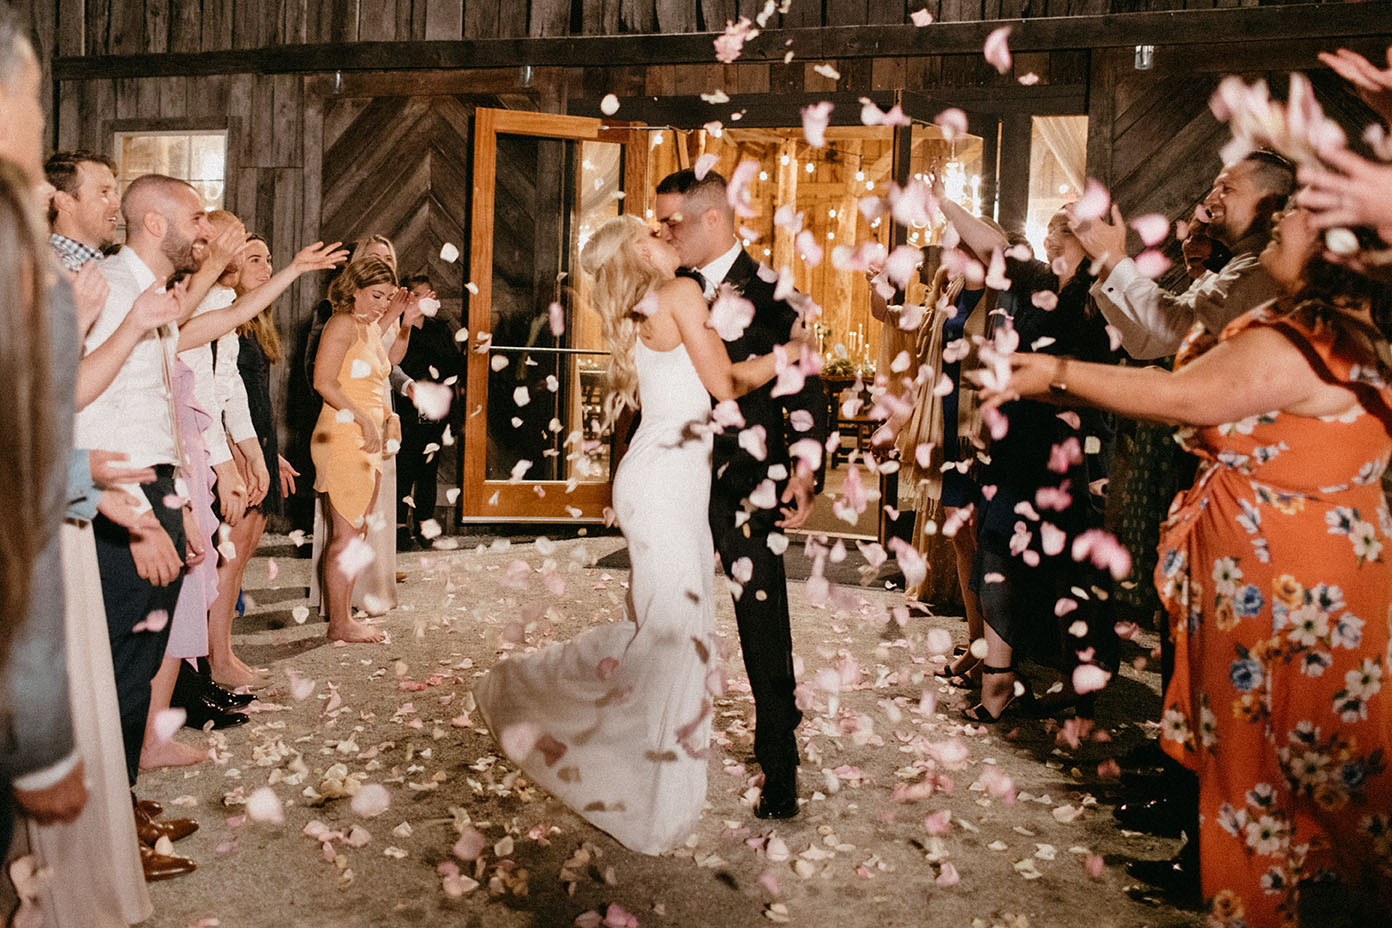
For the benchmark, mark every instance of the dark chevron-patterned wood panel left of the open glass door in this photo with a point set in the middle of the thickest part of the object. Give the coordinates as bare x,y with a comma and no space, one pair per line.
400,166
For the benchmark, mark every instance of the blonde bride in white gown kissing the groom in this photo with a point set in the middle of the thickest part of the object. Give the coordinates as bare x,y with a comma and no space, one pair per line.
616,723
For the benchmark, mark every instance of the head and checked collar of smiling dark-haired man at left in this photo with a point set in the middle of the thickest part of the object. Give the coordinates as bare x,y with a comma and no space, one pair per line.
84,208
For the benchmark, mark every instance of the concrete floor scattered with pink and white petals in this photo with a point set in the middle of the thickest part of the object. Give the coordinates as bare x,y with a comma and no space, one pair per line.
860,855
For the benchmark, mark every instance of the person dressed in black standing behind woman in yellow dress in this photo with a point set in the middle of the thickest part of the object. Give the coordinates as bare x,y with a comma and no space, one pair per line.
434,355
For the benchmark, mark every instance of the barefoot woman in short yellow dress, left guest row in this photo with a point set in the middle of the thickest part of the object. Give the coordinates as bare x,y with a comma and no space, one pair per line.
356,429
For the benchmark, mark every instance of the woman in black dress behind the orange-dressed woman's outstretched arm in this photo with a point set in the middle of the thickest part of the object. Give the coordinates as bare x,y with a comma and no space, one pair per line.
1022,567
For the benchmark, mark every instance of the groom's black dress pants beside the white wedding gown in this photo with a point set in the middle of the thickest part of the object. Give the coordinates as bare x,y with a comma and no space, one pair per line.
761,613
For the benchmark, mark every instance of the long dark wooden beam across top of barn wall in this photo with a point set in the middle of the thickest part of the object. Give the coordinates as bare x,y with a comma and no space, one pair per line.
1045,34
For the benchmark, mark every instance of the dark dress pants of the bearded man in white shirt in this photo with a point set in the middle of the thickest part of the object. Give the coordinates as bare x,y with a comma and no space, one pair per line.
130,600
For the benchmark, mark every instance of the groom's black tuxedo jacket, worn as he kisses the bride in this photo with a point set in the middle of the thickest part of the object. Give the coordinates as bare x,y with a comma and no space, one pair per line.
737,471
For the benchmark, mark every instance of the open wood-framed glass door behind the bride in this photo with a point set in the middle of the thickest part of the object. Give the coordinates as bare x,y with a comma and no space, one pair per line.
534,450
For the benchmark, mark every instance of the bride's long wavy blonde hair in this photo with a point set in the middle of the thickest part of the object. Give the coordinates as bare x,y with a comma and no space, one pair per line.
622,280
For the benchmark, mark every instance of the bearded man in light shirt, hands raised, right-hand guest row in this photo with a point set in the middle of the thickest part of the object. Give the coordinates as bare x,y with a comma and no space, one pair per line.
1152,321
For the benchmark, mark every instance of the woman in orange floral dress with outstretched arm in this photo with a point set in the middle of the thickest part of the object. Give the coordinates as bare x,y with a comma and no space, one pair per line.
1277,571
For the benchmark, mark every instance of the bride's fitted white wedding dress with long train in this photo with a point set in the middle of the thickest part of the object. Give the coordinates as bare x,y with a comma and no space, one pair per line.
616,723
